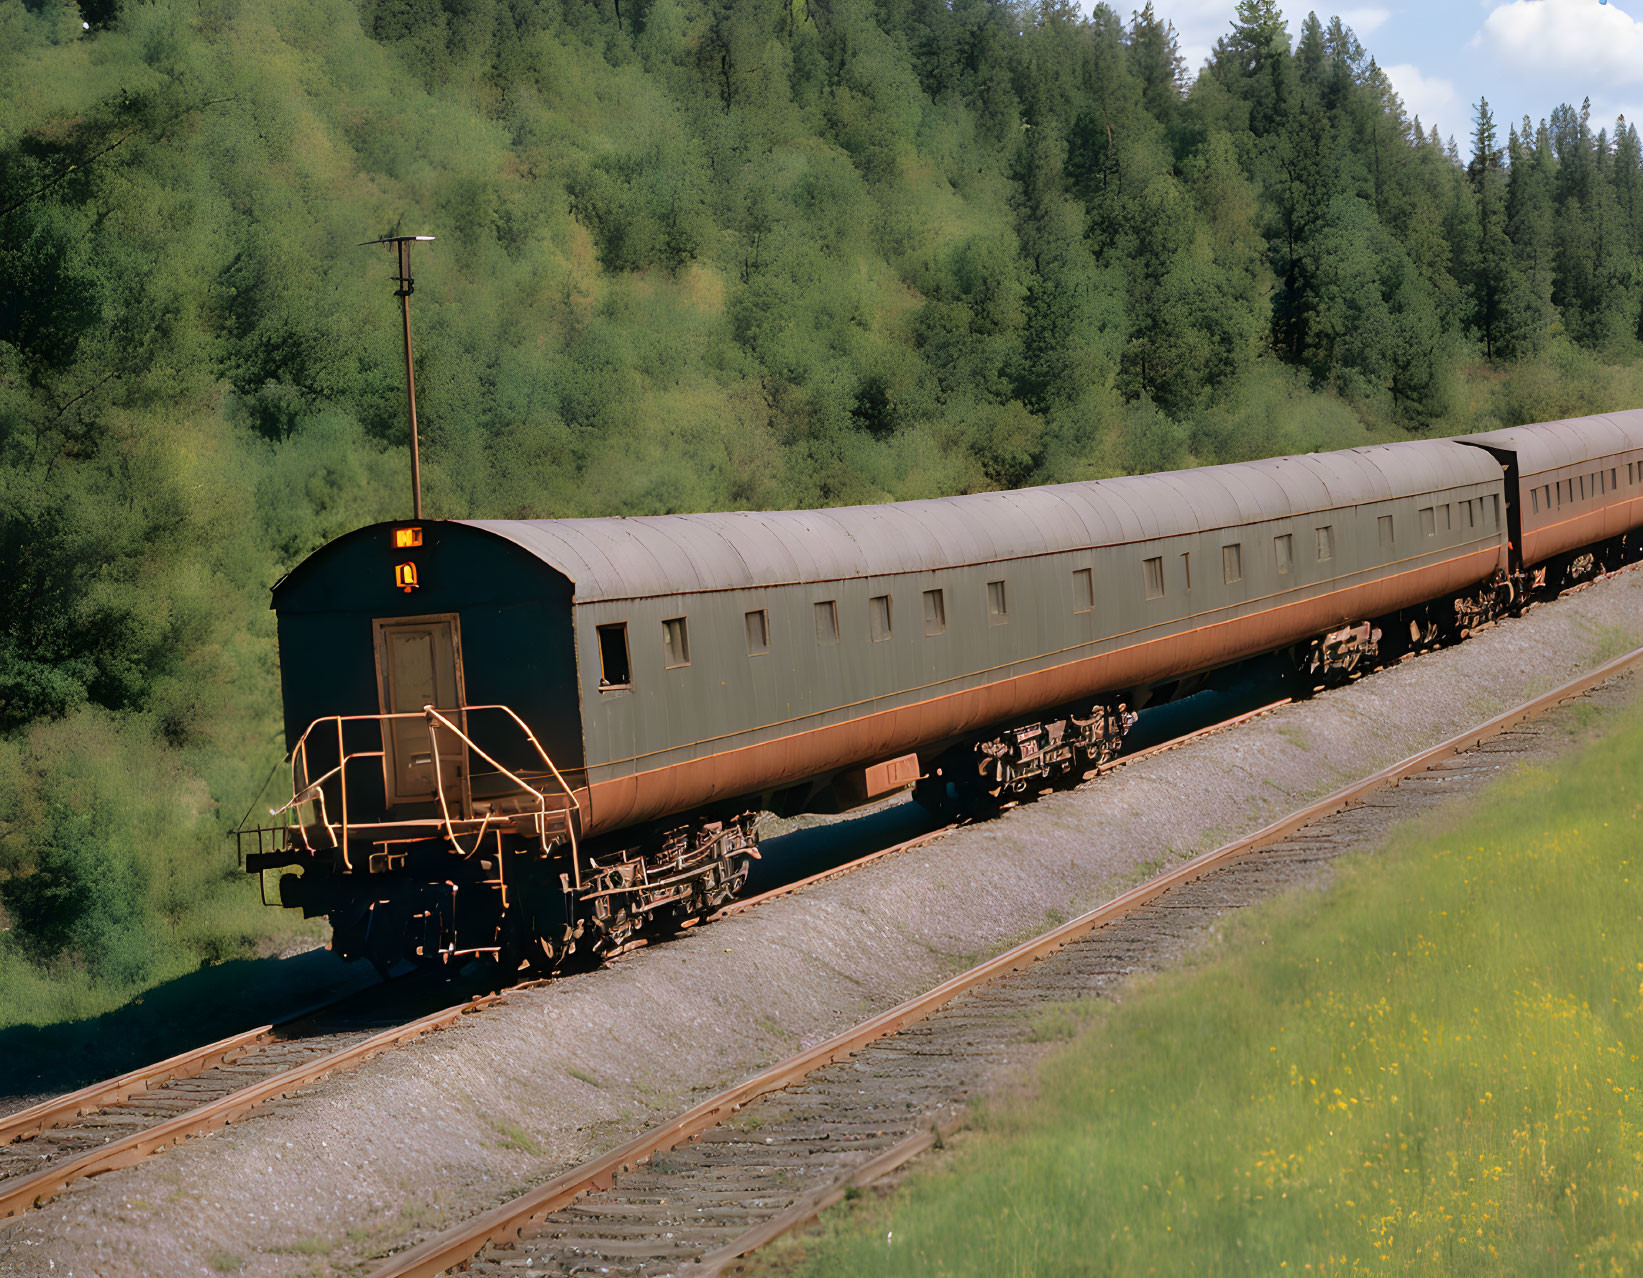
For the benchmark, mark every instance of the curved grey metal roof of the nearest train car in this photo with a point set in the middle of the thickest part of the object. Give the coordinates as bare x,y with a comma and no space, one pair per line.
643,556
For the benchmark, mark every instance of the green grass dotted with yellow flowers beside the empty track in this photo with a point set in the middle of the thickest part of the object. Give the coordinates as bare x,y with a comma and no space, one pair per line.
1432,1067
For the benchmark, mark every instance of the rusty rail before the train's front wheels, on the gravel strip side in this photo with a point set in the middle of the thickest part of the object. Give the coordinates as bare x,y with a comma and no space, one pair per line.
30,1192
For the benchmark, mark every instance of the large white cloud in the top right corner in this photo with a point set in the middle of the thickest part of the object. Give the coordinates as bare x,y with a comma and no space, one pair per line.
1598,45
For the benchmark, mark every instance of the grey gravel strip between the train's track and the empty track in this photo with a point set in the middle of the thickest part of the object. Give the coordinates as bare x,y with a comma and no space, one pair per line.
448,1126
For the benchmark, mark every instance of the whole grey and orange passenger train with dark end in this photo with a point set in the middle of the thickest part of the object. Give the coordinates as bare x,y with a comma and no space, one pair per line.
533,740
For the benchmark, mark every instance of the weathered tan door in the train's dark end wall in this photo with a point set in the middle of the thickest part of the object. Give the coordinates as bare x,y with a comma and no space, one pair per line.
420,664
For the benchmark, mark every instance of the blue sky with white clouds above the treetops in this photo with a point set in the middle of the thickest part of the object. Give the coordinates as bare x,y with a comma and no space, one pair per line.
1526,57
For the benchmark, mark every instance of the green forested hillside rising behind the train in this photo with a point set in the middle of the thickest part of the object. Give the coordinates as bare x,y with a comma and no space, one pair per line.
693,254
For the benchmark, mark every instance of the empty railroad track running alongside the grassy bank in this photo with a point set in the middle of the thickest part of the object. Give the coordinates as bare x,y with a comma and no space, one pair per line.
696,1195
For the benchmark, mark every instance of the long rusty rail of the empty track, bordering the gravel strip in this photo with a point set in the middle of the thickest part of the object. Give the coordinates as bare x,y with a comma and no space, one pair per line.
461,1244
